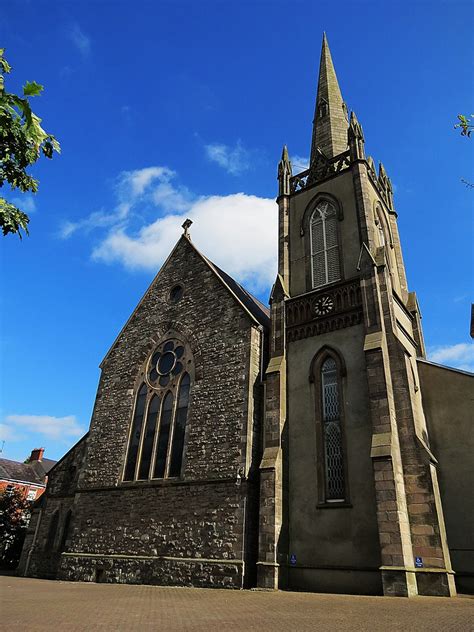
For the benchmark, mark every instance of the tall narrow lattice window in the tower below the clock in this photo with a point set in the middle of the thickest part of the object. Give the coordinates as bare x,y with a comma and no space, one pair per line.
332,432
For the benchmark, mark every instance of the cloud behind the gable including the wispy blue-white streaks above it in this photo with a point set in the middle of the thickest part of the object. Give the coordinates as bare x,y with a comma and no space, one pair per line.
238,231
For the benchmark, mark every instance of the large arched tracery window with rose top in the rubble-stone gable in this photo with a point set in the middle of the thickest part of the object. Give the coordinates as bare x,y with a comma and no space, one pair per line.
157,435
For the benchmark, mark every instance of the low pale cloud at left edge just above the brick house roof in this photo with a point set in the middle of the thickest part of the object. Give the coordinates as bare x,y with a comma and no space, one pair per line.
51,427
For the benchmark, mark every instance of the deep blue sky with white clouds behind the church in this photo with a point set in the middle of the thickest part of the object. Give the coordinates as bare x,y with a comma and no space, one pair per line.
173,109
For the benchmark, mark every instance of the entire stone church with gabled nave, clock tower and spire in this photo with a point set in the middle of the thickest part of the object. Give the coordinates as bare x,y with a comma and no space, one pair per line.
310,446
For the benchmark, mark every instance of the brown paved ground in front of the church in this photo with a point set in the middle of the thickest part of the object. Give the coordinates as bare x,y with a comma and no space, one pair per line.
35,604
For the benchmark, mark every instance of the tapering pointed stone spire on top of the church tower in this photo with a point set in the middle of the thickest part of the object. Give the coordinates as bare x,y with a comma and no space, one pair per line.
330,114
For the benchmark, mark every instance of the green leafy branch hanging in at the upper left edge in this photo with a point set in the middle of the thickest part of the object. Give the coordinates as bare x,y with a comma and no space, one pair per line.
22,141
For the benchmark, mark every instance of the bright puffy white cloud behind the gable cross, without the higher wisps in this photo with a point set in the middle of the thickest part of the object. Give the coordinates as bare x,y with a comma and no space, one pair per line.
238,232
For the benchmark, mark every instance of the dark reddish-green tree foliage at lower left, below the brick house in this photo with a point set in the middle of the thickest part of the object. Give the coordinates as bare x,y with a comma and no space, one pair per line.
15,513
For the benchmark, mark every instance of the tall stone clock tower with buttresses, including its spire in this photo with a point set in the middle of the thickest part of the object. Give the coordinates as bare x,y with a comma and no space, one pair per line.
349,497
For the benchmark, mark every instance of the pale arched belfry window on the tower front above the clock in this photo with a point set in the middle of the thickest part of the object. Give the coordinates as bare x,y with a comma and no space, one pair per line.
325,265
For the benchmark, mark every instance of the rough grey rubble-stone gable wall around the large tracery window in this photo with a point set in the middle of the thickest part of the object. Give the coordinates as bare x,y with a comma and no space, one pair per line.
197,529
